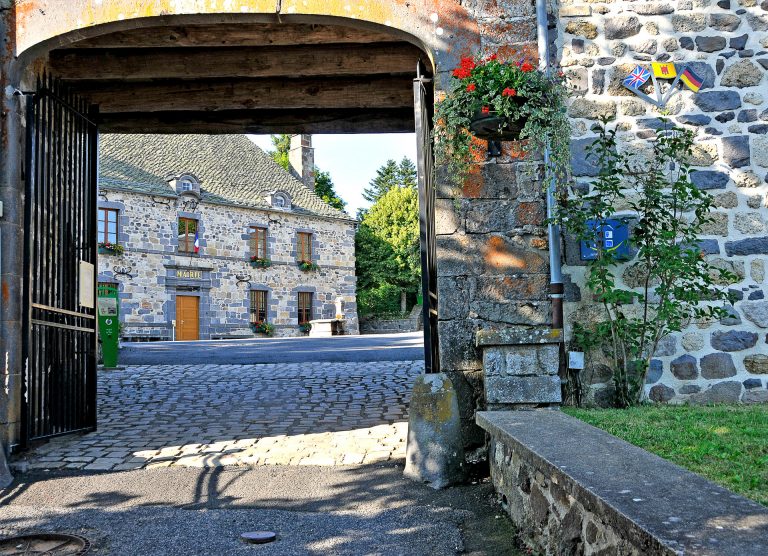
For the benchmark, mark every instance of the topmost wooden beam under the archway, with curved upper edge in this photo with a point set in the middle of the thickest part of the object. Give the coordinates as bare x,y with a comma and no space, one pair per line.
249,34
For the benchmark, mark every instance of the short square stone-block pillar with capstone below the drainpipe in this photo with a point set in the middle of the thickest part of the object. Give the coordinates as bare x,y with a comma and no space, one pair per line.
520,367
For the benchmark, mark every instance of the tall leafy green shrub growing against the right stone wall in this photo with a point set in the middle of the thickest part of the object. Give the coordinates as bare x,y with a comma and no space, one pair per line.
672,282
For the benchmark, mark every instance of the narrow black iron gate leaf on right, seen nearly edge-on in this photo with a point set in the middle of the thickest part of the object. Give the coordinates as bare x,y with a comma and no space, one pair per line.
423,99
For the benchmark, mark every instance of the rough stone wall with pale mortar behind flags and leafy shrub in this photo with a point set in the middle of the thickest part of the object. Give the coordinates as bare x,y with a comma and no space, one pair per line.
725,43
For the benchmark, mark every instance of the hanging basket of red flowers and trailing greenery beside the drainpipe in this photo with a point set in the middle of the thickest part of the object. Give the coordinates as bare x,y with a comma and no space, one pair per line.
493,100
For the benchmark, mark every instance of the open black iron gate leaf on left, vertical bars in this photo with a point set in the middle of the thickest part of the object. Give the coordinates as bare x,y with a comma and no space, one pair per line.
60,264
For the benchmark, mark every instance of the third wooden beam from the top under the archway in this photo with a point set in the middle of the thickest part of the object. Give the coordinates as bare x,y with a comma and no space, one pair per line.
210,95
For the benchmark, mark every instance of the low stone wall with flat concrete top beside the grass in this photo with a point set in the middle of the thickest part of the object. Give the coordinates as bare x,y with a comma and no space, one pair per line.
575,489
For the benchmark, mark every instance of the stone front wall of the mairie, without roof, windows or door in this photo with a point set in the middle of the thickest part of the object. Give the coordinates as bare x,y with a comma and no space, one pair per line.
147,230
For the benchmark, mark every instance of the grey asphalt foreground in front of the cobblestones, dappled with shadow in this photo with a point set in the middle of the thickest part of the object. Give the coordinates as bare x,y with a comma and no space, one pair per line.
345,510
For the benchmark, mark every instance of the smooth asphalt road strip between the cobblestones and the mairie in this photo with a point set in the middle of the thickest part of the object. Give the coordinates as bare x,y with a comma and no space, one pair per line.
338,349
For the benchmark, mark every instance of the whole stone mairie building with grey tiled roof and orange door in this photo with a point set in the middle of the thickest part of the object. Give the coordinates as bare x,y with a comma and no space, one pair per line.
227,190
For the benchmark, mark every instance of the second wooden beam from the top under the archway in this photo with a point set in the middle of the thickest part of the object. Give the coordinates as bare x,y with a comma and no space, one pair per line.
202,63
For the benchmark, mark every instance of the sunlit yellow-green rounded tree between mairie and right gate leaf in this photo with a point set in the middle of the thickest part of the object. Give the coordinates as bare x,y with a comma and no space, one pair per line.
387,243
